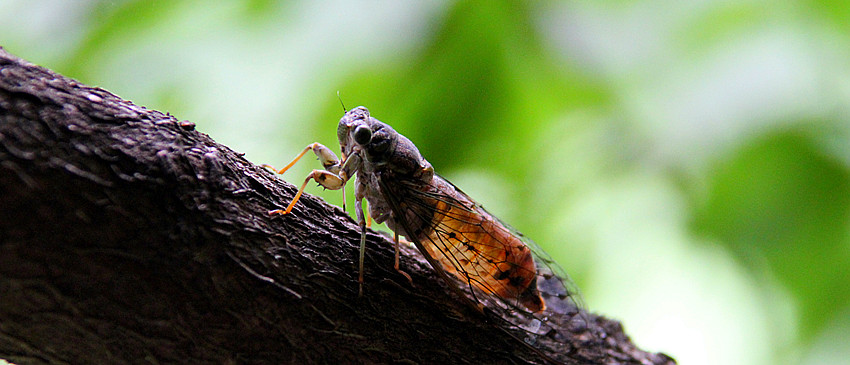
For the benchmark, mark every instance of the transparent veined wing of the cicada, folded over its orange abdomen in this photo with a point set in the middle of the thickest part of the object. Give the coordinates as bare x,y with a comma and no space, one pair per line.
485,258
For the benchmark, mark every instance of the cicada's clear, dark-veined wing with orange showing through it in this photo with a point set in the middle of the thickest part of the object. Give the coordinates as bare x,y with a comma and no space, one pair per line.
475,247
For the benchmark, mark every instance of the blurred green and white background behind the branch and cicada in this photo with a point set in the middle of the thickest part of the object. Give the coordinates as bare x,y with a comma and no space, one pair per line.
687,162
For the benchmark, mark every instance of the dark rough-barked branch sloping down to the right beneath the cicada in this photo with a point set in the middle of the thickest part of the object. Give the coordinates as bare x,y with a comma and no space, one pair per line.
126,236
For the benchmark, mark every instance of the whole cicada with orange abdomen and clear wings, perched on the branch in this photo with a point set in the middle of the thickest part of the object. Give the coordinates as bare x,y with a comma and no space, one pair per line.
489,264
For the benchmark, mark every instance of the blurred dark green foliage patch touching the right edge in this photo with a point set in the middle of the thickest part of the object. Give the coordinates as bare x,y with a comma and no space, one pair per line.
782,201
